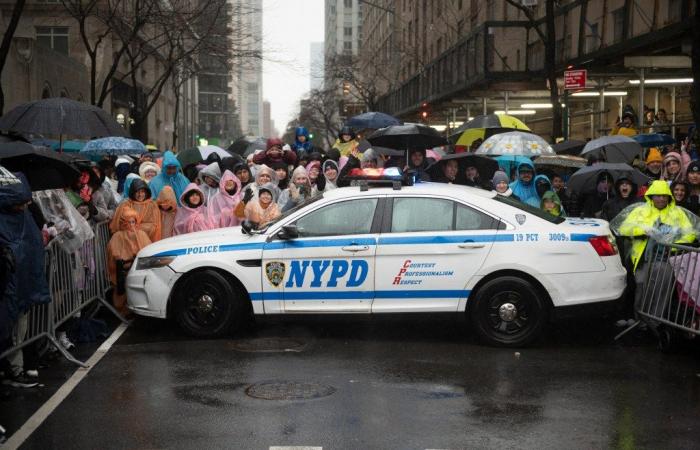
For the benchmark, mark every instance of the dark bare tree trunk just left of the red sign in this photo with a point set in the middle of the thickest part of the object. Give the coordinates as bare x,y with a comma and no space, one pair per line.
549,40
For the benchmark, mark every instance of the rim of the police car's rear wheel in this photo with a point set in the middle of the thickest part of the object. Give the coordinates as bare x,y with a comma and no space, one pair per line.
509,313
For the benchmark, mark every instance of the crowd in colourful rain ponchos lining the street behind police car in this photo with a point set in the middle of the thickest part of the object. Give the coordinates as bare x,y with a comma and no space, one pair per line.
146,199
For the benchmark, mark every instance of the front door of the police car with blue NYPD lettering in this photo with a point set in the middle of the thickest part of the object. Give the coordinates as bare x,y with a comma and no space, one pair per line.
330,266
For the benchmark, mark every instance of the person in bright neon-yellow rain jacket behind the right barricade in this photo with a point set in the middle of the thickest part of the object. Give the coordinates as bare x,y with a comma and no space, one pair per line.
658,217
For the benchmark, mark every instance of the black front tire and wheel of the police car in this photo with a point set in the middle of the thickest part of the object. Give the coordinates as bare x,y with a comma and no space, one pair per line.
206,305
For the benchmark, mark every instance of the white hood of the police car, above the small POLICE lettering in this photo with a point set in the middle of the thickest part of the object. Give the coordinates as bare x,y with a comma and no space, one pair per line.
200,242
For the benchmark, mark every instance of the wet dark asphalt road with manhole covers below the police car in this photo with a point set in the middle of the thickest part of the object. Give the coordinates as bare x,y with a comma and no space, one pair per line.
385,383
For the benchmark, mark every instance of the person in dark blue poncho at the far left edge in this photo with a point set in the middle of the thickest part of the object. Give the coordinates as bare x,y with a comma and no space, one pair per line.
23,281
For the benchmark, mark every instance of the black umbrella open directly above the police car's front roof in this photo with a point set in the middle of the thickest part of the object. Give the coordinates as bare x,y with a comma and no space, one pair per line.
407,137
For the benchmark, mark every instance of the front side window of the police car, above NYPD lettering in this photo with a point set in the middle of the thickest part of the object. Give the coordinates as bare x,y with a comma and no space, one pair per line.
351,217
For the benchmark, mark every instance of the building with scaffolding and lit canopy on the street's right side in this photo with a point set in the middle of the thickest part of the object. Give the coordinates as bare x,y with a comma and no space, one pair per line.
466,57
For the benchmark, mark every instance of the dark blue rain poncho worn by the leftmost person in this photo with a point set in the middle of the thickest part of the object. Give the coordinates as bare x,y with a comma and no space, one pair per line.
27,285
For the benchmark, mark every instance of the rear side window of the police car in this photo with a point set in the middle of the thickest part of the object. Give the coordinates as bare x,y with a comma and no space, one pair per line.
437,215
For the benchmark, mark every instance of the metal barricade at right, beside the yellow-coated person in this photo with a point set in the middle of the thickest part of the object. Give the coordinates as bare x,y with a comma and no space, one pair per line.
670,302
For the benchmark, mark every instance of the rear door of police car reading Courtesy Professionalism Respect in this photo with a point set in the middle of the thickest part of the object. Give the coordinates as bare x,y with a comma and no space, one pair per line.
428,251
